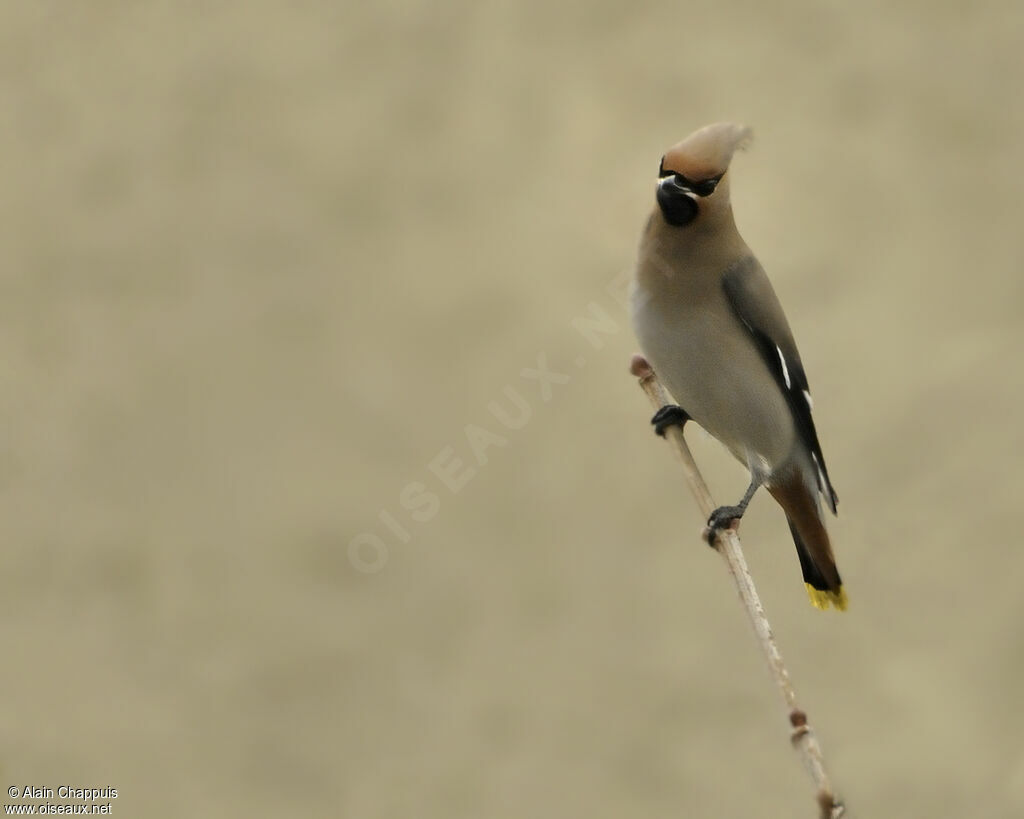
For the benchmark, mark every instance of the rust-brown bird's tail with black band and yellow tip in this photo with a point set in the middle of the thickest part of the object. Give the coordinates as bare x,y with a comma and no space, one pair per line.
825,587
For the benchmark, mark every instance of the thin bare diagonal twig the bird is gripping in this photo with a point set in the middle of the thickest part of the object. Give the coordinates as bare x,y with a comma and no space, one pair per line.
728,544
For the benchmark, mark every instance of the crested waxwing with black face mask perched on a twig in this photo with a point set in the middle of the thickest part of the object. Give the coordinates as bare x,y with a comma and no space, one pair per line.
710,324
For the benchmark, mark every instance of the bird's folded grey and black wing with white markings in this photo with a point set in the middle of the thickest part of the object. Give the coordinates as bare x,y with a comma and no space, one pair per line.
753,299
